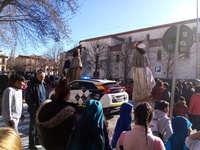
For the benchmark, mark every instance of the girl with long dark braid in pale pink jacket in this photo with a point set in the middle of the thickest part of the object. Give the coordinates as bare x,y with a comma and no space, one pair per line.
140,137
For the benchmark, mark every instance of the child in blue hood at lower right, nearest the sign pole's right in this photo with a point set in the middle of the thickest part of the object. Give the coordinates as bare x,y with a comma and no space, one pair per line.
181,129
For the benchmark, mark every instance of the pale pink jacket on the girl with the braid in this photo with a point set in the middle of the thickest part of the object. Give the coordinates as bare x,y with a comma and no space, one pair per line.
136,140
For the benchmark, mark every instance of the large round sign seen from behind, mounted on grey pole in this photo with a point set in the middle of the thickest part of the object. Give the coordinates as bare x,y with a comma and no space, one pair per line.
185,40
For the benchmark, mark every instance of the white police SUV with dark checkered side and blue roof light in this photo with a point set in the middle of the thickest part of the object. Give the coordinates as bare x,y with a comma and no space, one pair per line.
108,92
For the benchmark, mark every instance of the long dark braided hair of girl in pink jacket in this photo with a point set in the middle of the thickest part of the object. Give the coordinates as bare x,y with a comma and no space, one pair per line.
144,114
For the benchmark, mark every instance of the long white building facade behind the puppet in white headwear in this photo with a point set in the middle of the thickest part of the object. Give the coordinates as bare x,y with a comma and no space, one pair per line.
113,59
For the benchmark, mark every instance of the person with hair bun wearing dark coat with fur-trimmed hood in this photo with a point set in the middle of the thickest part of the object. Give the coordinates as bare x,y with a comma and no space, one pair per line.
56,119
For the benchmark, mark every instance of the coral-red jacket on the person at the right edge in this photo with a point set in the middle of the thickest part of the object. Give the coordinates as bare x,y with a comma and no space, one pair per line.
194,104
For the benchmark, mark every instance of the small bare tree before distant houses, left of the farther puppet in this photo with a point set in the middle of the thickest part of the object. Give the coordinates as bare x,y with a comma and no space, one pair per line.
53,54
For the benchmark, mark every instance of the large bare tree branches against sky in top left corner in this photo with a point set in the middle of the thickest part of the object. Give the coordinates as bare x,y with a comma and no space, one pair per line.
31,21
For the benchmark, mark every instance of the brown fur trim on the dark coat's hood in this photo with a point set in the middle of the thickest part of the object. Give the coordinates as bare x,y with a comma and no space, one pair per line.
62,115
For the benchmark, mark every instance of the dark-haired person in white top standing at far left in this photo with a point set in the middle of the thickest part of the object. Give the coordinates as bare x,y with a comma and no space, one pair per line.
12,104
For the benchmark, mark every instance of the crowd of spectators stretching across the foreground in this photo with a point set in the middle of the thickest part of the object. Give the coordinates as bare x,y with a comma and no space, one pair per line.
55,124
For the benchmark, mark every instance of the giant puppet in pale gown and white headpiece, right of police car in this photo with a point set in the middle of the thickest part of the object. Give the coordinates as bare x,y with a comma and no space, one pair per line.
142,75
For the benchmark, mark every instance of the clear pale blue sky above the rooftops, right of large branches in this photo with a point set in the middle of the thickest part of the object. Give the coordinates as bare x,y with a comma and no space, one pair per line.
103,17
